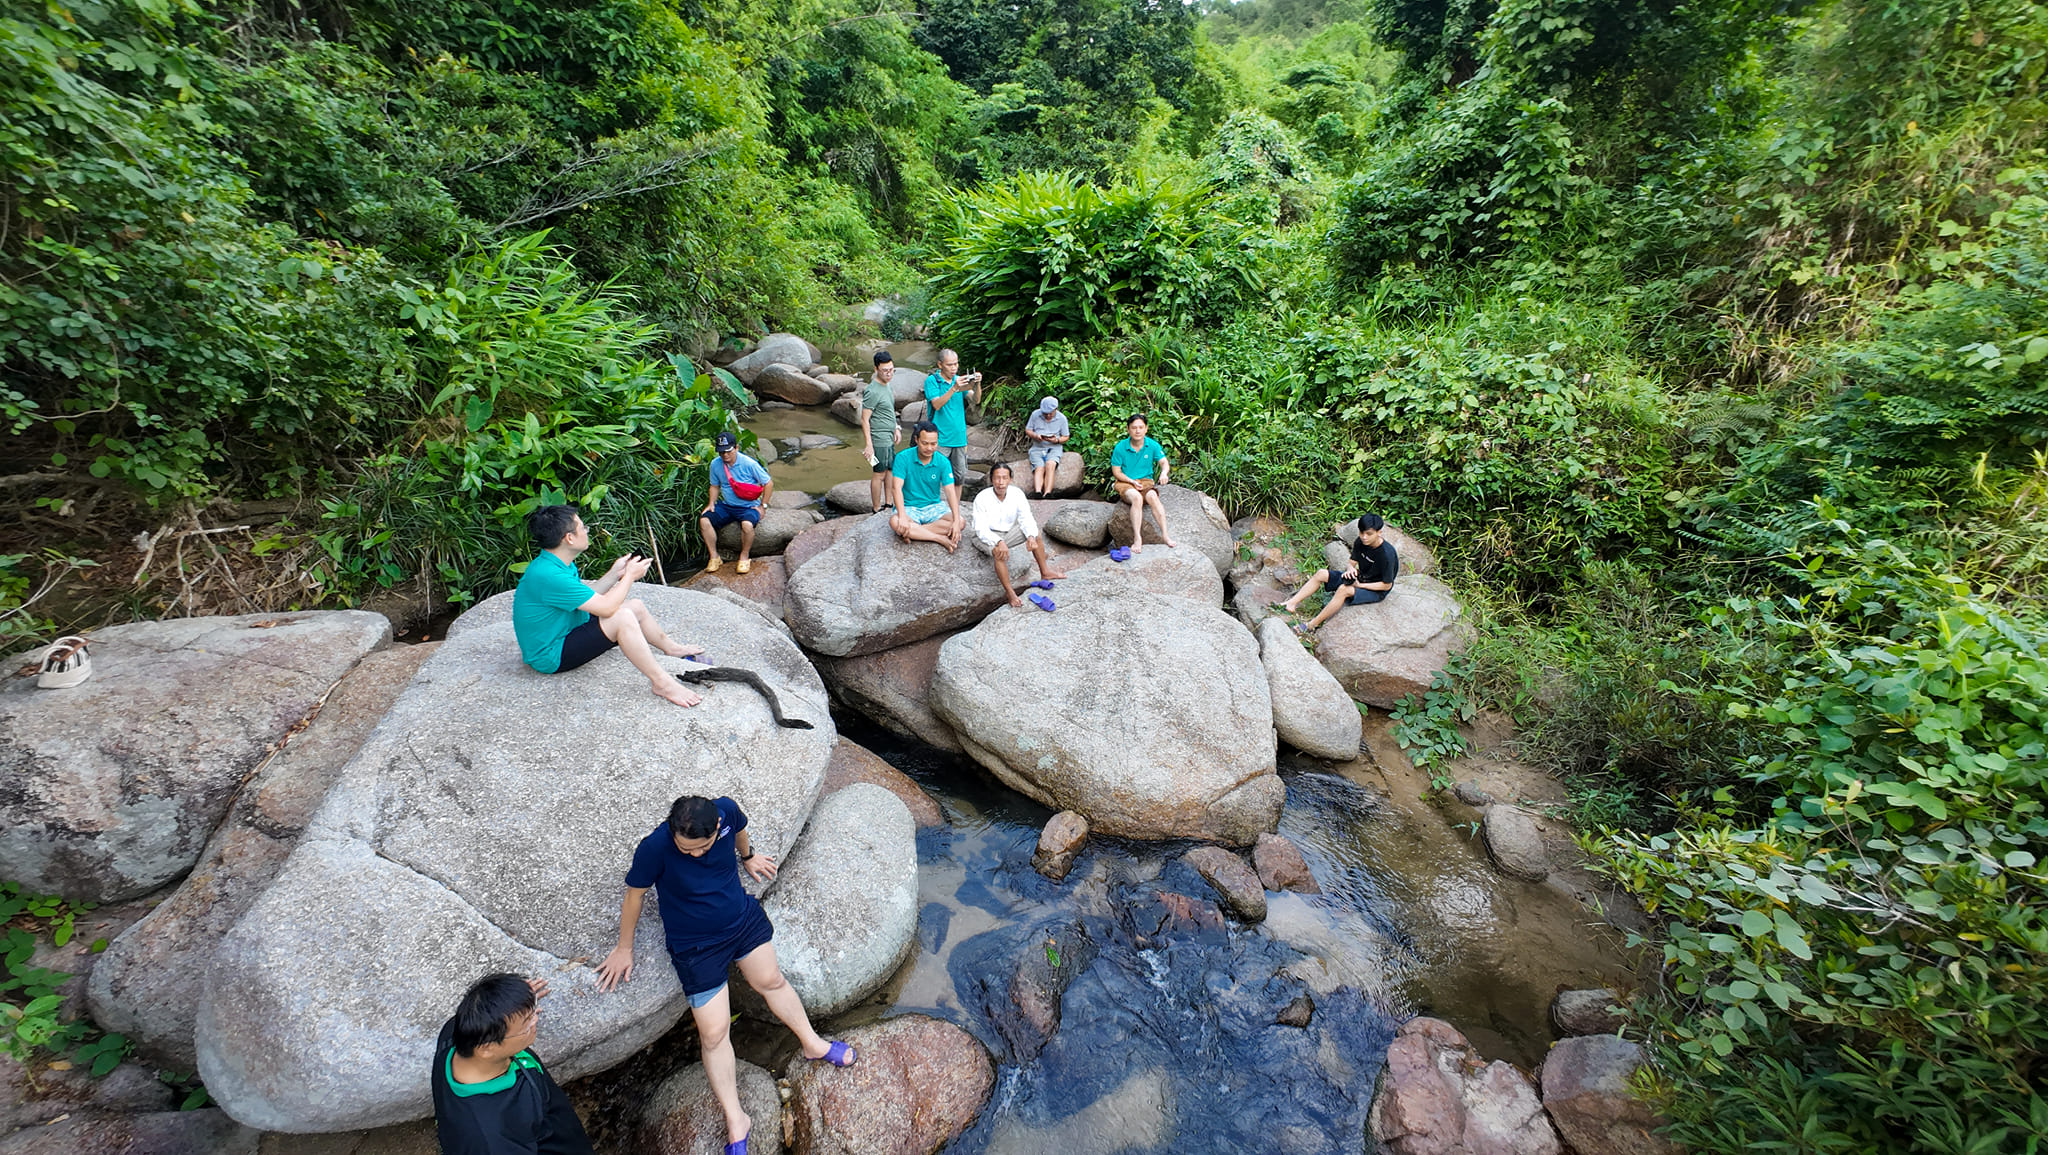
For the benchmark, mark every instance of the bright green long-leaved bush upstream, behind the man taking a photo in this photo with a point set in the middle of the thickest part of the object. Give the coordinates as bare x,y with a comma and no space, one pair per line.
1048,257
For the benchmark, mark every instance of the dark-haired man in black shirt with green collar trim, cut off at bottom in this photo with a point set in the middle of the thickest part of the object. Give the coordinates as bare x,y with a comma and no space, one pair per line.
493,1097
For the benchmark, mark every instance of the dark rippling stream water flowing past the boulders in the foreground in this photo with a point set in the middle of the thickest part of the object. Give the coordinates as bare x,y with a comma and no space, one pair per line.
1166,1033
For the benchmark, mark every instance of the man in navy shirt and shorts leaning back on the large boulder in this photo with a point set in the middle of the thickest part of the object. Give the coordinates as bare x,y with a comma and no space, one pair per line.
712,923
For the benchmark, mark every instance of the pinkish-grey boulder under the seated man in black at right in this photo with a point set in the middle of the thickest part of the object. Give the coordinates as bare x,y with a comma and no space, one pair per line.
1392,650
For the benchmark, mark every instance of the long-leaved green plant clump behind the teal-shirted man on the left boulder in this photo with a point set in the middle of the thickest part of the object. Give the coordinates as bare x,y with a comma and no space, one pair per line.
534,390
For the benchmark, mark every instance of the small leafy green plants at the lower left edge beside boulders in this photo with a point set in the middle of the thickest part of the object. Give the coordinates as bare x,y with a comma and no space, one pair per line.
32,1007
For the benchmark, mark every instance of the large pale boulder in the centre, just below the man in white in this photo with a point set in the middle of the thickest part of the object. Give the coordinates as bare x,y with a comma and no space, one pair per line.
1152,722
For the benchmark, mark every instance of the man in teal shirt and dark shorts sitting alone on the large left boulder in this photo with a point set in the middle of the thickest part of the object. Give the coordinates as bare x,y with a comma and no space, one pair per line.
562,622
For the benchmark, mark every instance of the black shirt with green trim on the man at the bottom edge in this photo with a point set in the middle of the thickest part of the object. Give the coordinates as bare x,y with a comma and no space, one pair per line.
529,1115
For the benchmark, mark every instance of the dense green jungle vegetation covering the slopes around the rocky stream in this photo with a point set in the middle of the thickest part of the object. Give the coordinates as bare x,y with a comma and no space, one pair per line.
1707,343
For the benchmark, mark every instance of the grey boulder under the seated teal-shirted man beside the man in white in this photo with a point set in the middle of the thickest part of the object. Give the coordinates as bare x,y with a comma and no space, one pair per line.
873,591
